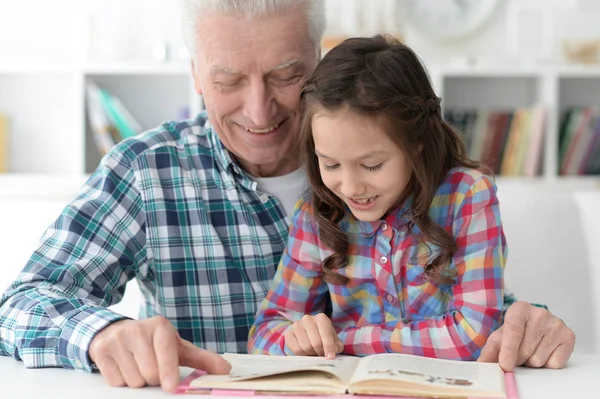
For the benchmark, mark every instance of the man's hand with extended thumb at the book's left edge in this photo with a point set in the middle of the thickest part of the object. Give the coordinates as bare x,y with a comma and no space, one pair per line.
148,352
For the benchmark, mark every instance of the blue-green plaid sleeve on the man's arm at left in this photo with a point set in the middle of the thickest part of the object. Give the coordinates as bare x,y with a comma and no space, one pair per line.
59,301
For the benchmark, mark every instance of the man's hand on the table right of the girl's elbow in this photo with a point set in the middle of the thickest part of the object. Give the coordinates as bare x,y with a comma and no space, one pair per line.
530,336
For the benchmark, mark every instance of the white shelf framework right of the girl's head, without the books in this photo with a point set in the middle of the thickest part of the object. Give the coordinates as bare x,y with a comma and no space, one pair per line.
554,87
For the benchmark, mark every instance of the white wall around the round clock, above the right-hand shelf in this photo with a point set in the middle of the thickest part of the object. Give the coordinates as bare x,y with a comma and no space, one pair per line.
492,44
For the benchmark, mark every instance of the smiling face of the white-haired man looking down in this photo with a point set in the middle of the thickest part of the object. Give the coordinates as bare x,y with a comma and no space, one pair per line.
251,72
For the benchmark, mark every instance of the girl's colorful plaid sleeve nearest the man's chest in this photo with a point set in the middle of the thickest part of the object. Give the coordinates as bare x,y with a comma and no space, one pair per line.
297,289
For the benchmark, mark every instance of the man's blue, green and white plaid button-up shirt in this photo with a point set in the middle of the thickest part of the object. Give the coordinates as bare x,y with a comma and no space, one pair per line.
171,209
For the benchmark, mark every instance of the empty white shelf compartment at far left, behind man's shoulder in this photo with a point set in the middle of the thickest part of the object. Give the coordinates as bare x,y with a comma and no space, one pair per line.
44,131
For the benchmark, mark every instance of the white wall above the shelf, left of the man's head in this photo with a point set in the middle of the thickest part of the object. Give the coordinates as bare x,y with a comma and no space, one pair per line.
52,32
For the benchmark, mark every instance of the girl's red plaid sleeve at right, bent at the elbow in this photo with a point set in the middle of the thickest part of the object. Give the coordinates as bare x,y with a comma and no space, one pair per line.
475,309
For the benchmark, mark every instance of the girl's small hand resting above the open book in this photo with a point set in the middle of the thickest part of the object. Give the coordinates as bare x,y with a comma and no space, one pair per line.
313,335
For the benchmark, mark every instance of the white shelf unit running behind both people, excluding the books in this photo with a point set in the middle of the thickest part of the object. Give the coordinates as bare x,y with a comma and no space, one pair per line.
50,133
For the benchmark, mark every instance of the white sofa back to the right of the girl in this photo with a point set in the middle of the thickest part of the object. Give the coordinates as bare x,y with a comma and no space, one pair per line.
549,258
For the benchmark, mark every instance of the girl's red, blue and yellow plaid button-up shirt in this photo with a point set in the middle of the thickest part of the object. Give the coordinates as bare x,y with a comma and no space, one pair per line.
390,305
